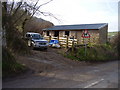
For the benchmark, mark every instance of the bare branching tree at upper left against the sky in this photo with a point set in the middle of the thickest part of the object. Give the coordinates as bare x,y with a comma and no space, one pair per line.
10,18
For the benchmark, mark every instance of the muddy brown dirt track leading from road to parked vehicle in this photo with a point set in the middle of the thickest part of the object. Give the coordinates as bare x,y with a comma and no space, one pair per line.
41,60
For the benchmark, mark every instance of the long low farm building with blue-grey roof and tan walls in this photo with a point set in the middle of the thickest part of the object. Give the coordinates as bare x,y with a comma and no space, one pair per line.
97,32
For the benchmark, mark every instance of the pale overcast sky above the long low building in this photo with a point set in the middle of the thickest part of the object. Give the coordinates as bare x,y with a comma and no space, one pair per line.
83,12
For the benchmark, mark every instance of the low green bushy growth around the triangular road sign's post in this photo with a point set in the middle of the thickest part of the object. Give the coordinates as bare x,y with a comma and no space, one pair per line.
94,53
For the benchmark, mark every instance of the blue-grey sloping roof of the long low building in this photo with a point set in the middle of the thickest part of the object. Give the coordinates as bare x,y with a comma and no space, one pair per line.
77,27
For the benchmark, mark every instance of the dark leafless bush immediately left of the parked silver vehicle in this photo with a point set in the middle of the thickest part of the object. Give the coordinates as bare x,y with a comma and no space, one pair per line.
15,43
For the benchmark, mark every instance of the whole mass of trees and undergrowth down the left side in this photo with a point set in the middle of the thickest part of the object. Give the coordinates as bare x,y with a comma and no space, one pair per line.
15,15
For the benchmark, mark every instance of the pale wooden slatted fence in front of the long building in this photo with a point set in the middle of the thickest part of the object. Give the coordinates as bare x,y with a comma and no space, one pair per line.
64,41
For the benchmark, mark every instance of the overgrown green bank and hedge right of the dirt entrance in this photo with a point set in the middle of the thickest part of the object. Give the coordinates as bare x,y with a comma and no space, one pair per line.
105,52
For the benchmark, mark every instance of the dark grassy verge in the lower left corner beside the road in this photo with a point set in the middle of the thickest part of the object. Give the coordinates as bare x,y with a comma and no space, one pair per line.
9,64
